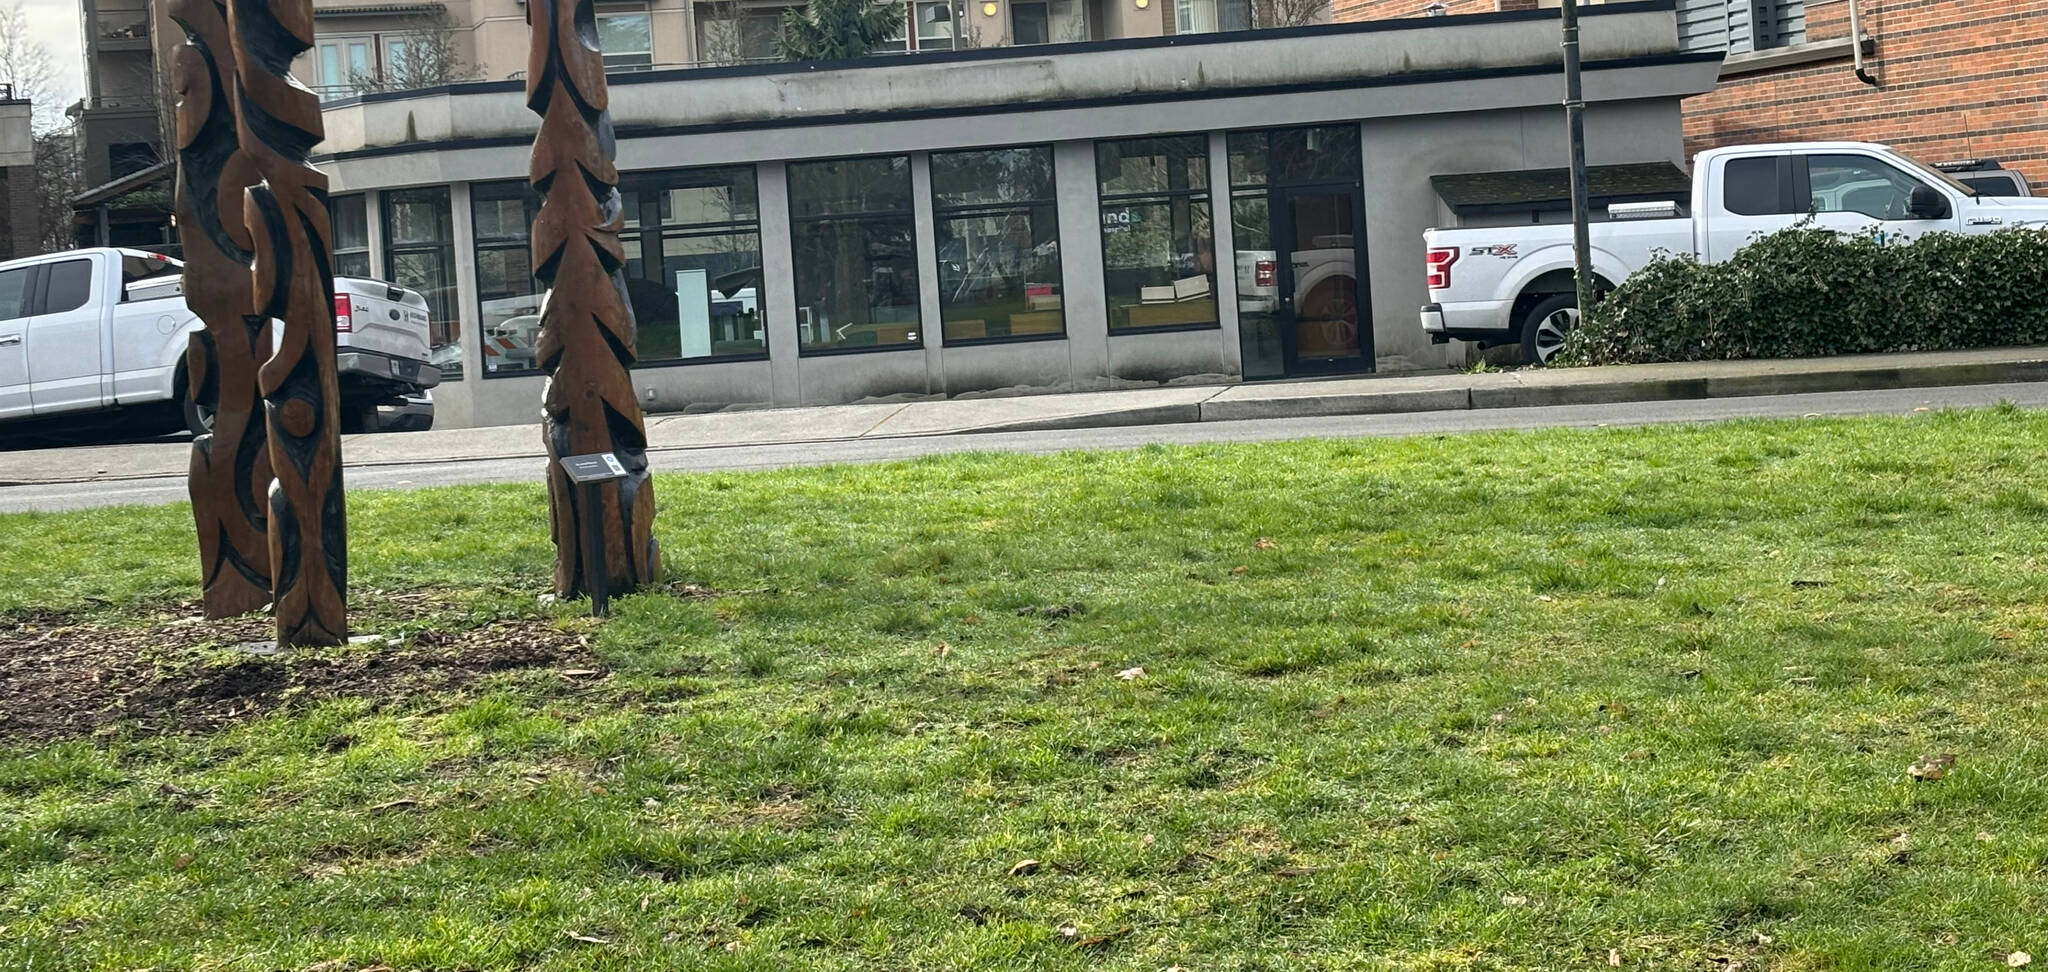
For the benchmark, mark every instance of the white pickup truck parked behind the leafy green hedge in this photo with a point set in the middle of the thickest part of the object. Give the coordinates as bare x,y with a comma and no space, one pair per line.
1514,285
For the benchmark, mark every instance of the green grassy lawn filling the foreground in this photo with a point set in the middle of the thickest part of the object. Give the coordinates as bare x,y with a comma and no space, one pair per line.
1510,701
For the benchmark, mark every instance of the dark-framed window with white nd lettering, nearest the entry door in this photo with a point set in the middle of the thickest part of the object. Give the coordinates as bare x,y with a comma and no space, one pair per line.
1158,232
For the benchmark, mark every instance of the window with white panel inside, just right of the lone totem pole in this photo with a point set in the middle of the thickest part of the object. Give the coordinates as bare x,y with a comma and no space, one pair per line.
695,265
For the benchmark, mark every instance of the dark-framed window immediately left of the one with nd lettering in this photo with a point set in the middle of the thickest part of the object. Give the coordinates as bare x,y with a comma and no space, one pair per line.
998,245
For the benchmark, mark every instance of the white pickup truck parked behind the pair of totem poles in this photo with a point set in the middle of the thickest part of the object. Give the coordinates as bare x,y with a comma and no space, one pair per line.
99,330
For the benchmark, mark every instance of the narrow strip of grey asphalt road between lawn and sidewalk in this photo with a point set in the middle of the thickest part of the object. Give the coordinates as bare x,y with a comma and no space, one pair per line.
525,470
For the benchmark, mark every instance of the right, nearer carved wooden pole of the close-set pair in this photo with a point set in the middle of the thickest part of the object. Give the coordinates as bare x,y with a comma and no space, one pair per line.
286,212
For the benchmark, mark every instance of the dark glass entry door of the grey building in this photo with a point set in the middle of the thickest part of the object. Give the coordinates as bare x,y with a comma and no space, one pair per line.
1318,281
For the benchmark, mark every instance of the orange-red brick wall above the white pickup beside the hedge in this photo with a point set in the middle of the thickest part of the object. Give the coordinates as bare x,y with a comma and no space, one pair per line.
1959,79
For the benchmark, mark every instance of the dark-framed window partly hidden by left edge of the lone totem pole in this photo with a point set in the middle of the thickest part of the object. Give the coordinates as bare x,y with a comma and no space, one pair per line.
509,298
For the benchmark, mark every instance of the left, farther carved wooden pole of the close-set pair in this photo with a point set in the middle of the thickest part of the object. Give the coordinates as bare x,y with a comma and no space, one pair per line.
230,474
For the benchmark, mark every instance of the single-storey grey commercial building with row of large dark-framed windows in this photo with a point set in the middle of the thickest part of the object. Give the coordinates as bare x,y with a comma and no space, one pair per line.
1211,208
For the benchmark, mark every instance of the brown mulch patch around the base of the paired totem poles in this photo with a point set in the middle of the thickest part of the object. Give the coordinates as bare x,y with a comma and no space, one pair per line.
67,678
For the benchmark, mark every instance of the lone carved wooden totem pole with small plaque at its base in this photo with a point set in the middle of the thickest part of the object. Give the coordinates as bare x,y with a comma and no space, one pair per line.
587,322
